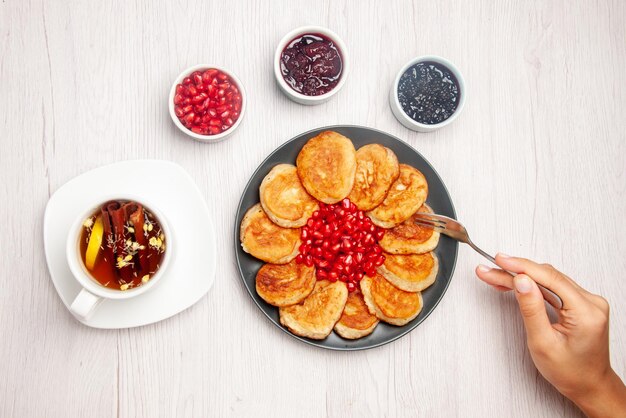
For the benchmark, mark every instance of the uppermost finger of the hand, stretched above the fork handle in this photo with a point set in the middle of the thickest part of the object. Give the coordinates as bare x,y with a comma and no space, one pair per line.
543,274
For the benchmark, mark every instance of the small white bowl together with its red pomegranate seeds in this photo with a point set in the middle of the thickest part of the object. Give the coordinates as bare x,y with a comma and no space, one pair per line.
207,102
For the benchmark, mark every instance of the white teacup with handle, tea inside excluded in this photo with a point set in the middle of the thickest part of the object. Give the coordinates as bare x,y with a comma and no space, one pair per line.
93,292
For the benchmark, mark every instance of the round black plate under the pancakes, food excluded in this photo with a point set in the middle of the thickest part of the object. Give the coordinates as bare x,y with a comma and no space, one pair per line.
438,199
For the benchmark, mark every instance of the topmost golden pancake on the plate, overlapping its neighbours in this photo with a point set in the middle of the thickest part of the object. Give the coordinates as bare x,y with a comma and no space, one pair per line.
326,166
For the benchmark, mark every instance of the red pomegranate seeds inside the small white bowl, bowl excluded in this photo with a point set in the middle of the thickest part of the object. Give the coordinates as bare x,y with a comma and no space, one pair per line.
207,102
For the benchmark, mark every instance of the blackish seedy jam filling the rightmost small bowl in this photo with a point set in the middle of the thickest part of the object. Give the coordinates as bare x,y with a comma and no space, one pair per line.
428,92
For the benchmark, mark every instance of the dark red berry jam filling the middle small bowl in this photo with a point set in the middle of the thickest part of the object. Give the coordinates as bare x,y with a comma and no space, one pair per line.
311,64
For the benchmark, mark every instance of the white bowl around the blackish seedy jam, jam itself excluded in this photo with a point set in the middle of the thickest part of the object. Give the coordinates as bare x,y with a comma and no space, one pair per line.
403,118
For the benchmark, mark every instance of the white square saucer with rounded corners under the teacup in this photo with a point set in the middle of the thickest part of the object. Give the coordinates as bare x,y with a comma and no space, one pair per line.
191,271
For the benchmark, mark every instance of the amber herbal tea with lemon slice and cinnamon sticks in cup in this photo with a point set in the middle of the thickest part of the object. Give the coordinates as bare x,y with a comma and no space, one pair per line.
122,245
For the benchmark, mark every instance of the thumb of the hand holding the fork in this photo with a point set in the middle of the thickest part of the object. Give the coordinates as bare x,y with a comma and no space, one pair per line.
532,307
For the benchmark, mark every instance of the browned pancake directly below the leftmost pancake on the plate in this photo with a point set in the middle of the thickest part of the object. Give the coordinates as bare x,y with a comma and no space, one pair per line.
285,284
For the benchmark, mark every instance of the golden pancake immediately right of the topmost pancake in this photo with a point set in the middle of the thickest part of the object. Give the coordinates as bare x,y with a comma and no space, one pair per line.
376,169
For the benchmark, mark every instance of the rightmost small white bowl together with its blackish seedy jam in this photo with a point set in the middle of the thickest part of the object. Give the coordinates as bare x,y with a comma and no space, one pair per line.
428,93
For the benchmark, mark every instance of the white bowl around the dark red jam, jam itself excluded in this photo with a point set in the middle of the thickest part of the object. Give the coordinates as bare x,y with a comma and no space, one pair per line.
299,97
